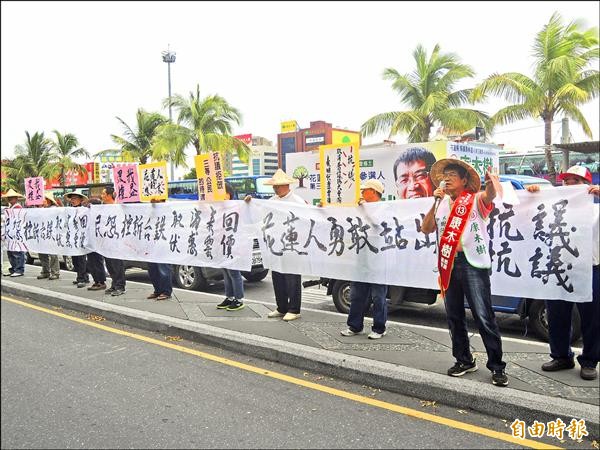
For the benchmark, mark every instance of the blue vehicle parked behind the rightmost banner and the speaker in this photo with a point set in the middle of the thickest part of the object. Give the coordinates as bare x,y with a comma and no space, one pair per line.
534,310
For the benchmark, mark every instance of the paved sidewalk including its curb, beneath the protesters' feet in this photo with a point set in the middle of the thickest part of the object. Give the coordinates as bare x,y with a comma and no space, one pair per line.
410,359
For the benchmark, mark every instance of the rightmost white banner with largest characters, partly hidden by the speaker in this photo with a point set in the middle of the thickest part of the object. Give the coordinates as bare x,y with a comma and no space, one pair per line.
540,248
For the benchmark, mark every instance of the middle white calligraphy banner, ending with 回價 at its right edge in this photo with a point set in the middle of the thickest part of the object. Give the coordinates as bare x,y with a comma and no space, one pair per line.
207,234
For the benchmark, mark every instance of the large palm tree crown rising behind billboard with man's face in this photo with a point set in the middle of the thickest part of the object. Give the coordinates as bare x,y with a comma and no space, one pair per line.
429,92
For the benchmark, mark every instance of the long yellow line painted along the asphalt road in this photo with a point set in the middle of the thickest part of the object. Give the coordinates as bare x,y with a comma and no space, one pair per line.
300,382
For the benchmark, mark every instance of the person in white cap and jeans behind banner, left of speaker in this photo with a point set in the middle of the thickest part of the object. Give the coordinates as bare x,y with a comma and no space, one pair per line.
361,293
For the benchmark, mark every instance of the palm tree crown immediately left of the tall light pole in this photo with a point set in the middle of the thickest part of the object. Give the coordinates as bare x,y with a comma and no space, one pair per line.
135,145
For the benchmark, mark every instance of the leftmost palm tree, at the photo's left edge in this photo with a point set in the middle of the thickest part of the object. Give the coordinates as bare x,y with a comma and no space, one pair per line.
32,159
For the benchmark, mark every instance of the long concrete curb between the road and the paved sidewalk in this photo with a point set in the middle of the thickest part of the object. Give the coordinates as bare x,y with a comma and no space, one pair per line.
461,393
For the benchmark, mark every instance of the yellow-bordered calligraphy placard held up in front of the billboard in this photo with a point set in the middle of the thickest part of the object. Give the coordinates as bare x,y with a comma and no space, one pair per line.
339,168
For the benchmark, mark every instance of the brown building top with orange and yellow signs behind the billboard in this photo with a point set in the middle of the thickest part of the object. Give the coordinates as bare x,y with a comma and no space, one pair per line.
293,139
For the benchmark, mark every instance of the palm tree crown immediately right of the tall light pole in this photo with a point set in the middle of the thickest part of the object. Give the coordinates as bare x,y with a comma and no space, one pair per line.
205,123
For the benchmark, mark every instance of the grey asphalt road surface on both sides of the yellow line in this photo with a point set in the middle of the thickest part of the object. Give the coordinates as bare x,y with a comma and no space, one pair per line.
66,384
